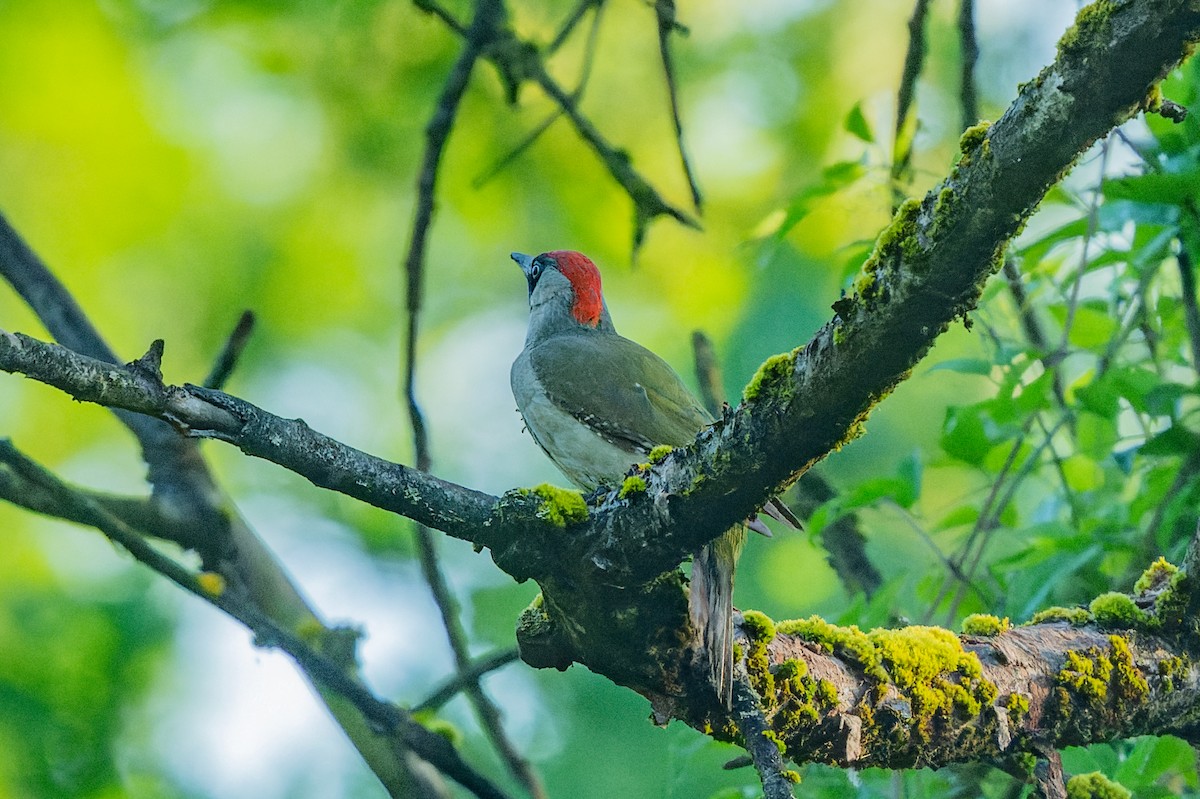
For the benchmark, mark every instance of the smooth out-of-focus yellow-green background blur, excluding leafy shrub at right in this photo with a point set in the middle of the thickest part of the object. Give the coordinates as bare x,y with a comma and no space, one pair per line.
179,161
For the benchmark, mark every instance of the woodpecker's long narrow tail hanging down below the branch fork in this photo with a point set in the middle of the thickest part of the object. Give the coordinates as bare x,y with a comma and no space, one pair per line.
712,606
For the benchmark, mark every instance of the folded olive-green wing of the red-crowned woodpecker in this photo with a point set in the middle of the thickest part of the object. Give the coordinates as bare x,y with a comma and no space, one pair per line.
619,388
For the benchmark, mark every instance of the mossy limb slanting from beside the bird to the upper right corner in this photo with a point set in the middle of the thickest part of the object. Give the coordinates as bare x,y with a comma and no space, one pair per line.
928,271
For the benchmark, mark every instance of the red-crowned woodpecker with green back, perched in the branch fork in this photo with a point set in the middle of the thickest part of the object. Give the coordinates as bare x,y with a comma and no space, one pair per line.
597,404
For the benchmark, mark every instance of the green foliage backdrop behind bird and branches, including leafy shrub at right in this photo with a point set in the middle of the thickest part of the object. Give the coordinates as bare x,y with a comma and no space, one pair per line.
178,161
